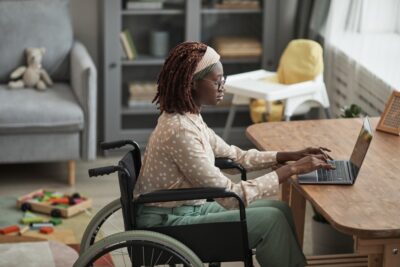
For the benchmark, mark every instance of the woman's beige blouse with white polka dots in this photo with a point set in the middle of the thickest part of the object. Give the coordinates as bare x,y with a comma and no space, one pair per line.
181,153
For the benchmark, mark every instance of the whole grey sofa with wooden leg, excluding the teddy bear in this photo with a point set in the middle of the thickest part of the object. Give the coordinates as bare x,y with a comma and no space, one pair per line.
58,124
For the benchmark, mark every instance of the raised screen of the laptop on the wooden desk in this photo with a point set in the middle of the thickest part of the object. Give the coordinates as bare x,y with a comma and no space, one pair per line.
361,147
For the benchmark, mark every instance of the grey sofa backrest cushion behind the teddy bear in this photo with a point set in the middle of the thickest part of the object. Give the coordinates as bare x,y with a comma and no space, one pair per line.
35,23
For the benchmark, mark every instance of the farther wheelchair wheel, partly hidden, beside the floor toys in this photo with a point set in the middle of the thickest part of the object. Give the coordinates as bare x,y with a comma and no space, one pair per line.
106,222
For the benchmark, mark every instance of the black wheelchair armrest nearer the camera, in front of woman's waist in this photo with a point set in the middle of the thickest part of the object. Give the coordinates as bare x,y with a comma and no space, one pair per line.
190,194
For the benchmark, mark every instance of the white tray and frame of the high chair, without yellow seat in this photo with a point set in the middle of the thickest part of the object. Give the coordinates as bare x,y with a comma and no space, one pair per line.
297,96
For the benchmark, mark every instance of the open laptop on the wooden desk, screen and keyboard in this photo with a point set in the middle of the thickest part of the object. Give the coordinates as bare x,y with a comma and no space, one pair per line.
346,170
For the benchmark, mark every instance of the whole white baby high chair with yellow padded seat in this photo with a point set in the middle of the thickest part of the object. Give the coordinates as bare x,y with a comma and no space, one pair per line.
298,86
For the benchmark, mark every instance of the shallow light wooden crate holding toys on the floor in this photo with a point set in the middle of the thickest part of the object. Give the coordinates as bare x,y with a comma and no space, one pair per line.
46,207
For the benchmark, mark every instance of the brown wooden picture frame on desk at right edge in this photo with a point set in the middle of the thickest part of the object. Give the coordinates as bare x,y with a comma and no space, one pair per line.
390,118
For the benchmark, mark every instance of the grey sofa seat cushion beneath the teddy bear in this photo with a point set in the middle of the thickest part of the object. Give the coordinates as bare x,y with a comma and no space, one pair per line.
29,110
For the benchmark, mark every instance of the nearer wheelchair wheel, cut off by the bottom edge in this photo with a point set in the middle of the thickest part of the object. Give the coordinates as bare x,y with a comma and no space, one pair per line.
138,248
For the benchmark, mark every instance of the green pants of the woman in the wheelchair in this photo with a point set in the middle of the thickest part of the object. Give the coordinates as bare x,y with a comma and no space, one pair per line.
270,227
